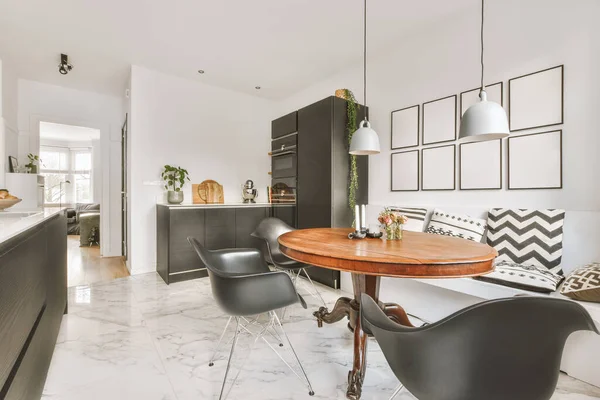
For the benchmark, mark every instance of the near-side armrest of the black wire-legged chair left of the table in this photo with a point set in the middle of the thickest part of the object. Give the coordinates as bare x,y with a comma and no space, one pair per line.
258,293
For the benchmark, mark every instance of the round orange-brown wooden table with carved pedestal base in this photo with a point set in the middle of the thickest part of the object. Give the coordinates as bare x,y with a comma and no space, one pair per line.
417,255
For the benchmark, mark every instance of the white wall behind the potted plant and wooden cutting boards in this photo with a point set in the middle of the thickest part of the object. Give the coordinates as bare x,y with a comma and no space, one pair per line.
214,133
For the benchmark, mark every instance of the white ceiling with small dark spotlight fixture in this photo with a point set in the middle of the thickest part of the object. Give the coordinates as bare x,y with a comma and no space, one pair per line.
281,45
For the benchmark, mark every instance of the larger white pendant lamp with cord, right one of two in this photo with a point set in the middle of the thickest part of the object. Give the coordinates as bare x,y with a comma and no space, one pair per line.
484,120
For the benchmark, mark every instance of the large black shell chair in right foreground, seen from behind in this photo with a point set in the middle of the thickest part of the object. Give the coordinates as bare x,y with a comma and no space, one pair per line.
496,350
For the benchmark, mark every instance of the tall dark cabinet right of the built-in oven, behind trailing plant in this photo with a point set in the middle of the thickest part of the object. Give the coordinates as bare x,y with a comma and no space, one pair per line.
323,172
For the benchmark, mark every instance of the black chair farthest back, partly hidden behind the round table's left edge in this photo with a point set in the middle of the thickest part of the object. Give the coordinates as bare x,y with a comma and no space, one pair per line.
269,230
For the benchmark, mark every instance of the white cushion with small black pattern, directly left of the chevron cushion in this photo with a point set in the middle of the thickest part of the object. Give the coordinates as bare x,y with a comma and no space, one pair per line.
457,225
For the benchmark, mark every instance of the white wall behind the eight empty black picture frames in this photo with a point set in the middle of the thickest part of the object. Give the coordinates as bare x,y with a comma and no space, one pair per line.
521,37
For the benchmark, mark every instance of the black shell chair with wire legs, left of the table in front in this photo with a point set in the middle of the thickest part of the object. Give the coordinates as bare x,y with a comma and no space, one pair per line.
241,295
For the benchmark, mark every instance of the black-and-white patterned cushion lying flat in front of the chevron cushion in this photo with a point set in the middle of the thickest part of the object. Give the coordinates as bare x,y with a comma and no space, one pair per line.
526,277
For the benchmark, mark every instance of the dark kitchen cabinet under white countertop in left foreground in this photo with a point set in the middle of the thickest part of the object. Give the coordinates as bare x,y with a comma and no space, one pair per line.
33,298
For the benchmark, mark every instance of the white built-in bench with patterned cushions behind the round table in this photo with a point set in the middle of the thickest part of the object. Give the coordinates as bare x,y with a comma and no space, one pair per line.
529,238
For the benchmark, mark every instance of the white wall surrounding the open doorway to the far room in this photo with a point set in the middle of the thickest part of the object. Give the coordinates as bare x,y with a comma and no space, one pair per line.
43,102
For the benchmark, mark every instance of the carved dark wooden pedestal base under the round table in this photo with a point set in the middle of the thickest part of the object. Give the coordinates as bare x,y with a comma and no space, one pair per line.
350,308
